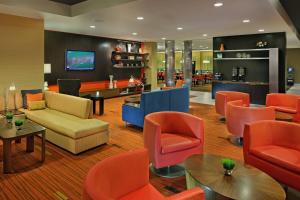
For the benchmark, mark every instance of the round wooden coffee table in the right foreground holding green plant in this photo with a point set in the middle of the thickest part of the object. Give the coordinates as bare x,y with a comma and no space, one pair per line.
246,182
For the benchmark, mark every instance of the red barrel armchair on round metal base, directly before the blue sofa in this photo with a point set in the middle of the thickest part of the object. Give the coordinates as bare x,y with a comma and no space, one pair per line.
171,137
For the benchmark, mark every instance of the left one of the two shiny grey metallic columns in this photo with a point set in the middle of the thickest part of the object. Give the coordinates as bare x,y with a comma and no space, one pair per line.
170,62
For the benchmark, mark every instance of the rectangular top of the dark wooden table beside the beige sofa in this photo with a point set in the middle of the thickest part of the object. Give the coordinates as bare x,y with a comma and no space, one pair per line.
8,131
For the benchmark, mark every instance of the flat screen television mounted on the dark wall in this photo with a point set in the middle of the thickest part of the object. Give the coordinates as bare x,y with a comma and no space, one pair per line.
79,60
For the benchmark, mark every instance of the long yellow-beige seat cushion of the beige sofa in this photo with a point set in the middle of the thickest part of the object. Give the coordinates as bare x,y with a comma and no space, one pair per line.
66,124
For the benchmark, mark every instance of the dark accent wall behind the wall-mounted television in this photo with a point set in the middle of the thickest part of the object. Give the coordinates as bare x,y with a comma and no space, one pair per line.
56,44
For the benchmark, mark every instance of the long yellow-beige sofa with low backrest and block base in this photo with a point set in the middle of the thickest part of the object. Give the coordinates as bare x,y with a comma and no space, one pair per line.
69,122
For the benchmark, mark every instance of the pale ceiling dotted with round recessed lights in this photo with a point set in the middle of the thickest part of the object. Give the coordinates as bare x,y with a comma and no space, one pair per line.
117,18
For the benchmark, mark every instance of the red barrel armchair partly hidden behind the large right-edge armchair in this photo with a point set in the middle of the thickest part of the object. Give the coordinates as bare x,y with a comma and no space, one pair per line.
237,115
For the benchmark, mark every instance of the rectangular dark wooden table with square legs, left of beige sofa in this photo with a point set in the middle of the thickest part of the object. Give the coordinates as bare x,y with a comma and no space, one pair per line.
9,133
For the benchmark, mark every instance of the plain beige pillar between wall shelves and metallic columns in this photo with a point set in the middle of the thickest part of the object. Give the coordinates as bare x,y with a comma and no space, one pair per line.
151,70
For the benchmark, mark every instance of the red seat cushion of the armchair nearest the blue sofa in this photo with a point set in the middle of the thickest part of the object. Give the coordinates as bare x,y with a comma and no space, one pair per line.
173,142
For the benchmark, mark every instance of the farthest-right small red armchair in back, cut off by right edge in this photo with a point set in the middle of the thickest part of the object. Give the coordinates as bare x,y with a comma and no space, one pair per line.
287,103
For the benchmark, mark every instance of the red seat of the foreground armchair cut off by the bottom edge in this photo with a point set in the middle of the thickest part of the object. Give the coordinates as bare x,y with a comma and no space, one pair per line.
148,192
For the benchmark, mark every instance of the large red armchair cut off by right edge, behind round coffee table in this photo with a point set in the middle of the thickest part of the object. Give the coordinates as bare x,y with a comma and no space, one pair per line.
274,147
